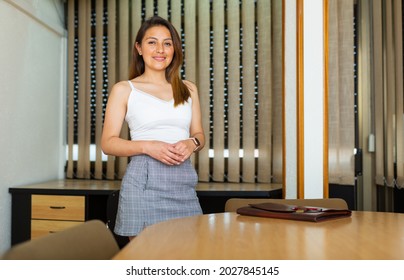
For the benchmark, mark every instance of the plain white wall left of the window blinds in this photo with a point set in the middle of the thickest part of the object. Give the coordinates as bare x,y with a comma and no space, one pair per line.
32,98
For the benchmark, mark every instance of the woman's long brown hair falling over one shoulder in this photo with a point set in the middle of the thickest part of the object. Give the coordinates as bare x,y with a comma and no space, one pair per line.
180,90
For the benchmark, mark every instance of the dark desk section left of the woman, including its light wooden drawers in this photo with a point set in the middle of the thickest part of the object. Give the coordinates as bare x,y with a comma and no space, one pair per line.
43,208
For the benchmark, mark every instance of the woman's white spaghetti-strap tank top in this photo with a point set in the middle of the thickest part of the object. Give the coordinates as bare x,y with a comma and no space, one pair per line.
151,118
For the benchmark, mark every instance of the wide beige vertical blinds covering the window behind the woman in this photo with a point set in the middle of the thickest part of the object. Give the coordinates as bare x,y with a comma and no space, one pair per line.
233,52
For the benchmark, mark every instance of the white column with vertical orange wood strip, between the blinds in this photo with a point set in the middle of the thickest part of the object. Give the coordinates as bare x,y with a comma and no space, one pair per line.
311,89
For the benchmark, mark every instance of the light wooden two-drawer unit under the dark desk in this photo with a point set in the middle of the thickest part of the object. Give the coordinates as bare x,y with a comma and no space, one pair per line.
53,213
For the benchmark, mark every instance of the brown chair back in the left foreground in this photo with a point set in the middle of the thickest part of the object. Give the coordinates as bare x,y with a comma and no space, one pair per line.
91,240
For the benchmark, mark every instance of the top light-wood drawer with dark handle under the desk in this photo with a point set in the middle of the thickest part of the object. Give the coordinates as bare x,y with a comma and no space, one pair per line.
58,207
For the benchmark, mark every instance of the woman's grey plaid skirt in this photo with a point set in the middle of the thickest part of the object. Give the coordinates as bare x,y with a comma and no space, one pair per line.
152,192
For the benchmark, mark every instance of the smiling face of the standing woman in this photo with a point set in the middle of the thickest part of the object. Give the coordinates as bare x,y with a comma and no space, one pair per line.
156,48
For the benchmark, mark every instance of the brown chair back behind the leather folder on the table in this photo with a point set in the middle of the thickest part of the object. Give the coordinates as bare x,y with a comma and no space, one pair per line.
234,203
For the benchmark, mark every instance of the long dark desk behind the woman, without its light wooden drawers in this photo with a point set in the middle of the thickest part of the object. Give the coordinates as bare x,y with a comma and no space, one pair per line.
96,194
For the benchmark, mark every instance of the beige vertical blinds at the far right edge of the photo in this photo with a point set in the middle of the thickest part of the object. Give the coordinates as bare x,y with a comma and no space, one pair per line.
388,92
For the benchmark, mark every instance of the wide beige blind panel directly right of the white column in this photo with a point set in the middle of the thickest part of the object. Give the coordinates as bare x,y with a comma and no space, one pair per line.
341,124
